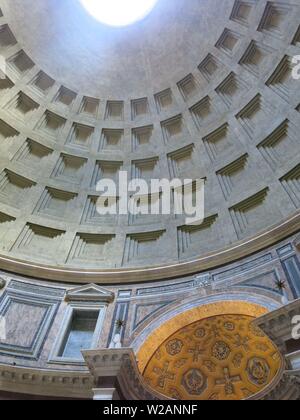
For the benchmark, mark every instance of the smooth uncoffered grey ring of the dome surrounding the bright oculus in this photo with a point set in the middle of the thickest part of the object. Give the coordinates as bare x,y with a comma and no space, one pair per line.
124,64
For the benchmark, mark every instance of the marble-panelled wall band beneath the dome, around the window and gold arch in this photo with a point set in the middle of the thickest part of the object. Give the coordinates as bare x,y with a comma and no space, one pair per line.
35,310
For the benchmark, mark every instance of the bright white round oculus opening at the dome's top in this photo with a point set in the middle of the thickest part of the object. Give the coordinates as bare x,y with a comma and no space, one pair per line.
119,12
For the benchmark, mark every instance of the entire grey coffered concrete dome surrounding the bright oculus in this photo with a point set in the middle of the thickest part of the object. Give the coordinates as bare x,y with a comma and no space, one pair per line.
197,90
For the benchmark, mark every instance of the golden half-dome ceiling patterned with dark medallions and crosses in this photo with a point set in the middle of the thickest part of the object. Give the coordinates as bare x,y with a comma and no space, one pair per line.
219,358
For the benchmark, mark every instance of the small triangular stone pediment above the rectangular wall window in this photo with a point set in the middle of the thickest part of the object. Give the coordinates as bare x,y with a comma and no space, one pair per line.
89,293
